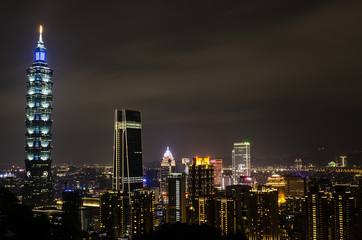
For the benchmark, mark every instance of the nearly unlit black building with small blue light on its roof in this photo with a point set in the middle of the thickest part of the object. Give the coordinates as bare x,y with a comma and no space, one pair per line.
72,203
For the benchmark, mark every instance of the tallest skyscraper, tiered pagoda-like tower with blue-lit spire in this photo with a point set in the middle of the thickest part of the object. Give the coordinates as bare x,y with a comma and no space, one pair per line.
38,189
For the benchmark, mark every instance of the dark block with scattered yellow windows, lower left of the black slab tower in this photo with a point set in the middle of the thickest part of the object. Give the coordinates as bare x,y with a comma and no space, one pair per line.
112,214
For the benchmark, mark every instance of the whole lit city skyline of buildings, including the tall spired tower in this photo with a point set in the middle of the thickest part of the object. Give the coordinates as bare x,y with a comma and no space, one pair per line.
127,200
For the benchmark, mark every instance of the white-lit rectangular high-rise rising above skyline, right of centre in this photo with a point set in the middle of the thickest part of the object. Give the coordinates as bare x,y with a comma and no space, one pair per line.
241,160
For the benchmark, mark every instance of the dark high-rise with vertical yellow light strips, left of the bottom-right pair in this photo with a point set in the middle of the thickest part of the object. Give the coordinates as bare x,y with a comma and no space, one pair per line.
318,212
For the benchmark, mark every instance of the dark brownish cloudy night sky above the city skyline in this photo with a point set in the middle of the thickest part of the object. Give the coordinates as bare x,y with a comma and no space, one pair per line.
284,75
